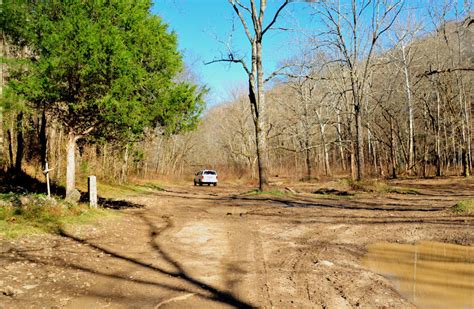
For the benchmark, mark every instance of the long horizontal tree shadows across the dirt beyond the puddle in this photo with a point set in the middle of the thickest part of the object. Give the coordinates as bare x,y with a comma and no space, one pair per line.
380,211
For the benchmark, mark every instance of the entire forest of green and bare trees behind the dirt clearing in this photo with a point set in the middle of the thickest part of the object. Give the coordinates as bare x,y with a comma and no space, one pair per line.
368,95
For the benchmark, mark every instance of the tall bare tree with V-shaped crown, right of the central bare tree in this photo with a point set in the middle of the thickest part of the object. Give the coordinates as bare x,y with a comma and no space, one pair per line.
353,30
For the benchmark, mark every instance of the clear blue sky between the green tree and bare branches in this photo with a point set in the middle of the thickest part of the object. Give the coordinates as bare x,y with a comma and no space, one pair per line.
203,26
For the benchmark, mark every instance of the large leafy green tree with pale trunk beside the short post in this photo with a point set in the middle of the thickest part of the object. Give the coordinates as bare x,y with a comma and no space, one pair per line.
103,69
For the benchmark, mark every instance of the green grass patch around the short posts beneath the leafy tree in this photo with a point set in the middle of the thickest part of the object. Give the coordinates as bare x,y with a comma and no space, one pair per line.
22,215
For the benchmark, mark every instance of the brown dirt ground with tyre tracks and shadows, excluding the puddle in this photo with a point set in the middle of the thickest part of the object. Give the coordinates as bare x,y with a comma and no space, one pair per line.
212,247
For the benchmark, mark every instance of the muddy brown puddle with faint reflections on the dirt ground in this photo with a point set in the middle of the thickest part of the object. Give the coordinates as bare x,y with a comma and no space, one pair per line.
429,274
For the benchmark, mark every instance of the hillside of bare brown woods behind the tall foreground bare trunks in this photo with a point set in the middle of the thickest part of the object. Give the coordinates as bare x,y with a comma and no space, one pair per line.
416,114
